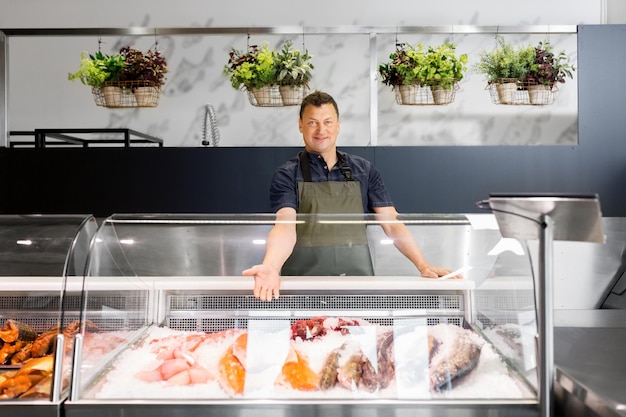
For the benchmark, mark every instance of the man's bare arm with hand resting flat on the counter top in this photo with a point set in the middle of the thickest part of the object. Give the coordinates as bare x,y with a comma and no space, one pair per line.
405,242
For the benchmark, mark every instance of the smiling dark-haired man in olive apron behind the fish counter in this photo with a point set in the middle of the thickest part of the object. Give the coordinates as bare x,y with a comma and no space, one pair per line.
323,180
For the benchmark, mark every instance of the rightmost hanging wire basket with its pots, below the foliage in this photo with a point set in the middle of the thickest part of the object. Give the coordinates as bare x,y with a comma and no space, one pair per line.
513,91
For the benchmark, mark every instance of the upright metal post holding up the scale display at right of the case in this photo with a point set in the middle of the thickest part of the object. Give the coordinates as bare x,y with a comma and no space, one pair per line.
545,323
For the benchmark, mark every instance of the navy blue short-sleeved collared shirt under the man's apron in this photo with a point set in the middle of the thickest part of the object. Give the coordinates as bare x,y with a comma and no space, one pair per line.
284,188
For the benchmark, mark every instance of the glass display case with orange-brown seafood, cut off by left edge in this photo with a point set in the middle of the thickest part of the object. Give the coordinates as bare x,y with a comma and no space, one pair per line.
40,256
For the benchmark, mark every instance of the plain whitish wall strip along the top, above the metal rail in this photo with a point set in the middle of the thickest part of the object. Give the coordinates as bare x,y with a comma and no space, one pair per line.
116,13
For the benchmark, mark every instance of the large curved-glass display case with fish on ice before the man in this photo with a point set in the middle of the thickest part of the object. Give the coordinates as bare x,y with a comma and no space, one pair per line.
191,337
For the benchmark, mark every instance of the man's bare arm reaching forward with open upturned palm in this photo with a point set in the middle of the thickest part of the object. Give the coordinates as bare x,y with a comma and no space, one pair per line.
280,242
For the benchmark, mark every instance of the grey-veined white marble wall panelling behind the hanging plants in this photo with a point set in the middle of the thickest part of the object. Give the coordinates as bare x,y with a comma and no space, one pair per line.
40,95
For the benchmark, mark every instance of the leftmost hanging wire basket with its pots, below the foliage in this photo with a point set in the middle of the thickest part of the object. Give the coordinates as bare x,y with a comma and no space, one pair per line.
121,94
